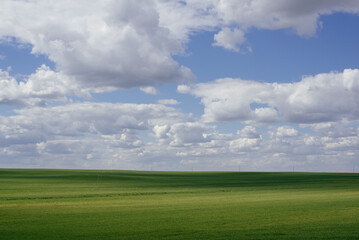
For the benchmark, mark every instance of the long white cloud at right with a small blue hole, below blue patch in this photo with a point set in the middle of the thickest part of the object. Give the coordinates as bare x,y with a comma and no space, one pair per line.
308,101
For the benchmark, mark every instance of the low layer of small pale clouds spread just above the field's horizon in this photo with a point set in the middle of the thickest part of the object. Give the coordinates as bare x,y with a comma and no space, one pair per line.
106,135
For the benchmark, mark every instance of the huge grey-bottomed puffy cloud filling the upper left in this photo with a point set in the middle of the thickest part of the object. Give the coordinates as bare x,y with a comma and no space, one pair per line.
100,44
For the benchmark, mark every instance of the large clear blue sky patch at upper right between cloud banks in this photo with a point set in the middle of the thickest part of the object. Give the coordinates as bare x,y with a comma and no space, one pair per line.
332,48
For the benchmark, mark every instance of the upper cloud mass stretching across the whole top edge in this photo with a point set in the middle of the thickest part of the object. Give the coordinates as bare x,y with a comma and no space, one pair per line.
123,44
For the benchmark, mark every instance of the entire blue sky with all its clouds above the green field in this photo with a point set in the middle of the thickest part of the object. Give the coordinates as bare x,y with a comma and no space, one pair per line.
210,85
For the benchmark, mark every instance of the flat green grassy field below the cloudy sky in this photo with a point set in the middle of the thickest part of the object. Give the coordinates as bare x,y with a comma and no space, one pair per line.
84,204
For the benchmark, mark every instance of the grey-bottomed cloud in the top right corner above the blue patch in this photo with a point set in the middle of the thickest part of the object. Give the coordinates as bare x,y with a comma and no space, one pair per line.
299,15
